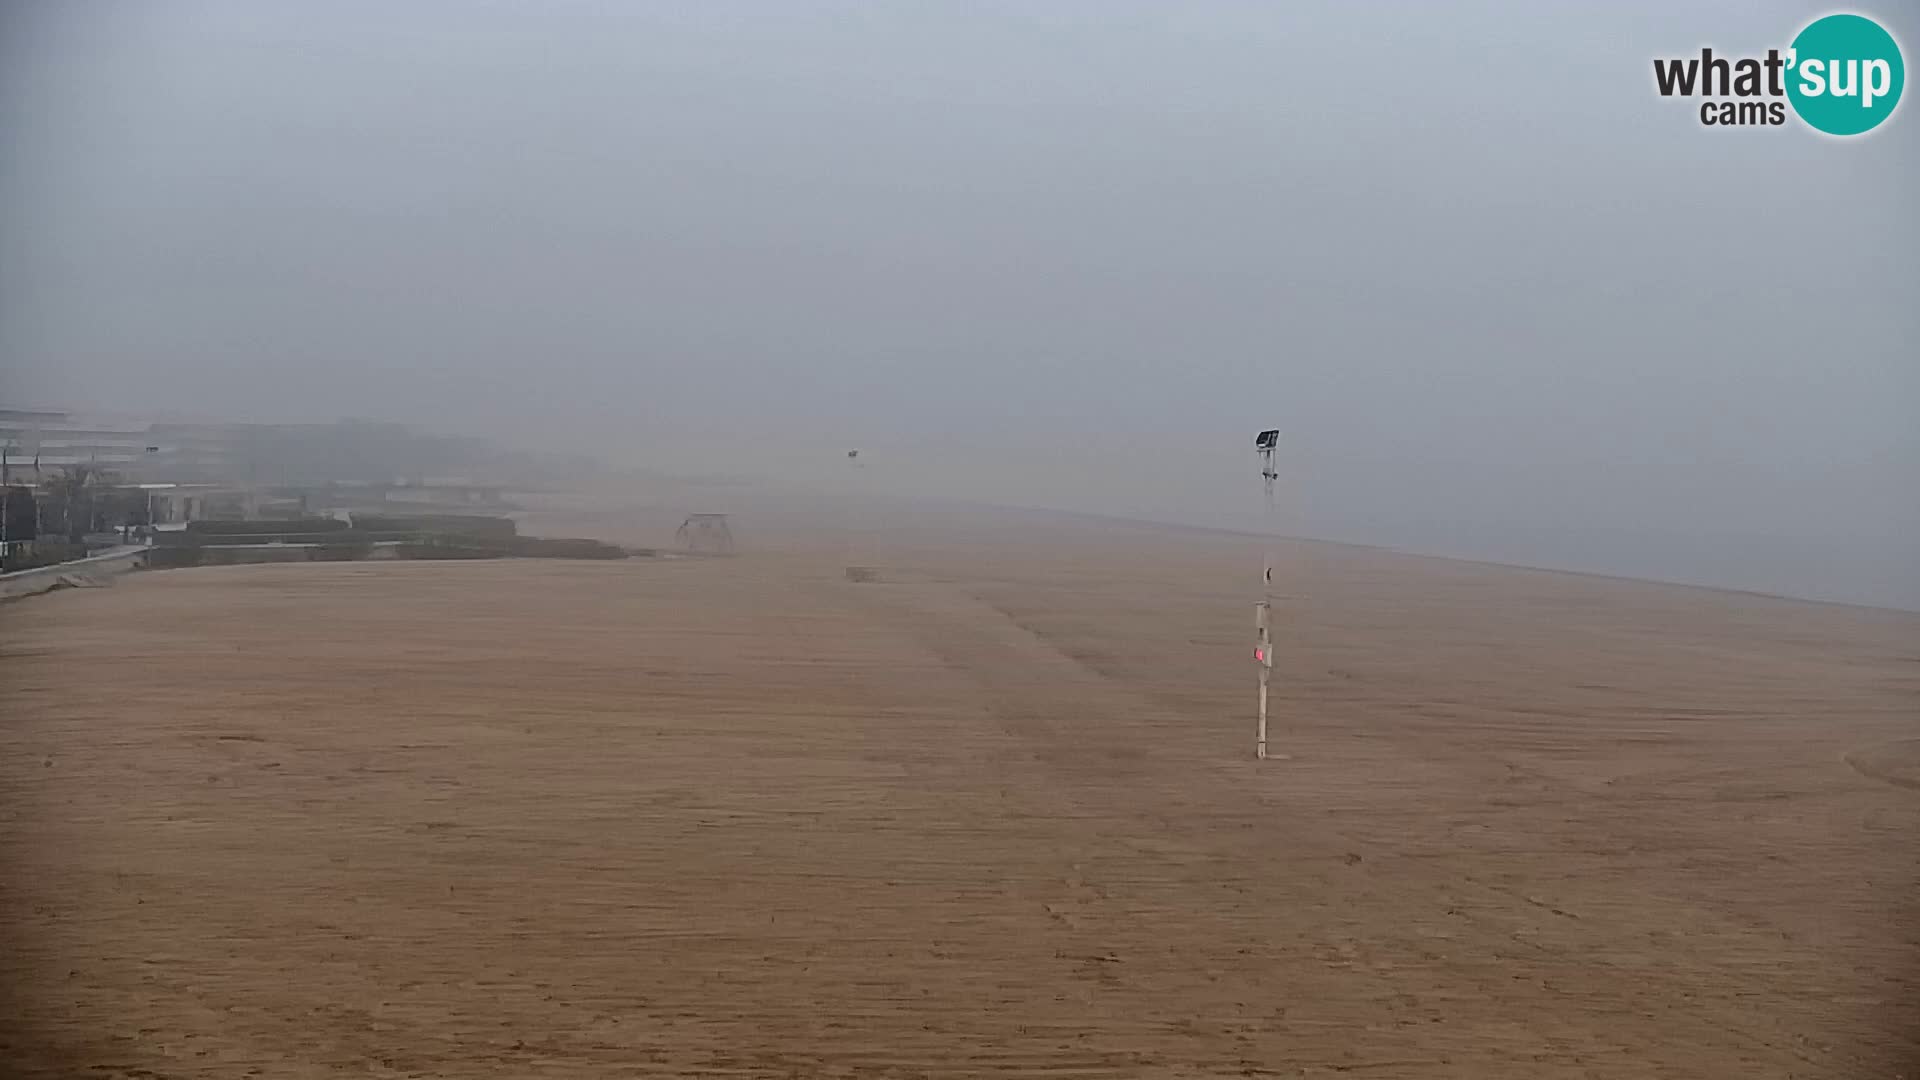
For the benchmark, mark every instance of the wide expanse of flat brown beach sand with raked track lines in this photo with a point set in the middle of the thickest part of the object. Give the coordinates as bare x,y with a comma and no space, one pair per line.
996,814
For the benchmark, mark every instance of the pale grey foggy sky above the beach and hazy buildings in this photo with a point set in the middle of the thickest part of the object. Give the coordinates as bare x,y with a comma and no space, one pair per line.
1502,299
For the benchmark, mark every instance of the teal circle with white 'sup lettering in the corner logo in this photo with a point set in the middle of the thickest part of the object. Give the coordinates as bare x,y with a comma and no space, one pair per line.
1846,74
